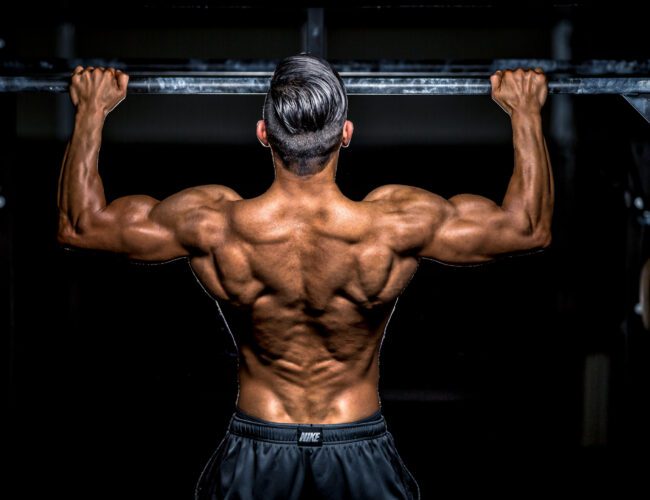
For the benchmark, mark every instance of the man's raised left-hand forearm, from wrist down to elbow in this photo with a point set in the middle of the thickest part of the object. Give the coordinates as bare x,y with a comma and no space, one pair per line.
81,191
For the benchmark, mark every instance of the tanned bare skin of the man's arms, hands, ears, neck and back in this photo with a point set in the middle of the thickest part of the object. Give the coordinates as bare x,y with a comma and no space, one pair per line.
312,275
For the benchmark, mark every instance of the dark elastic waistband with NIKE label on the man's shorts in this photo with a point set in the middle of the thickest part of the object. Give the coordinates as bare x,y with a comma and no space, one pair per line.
245,425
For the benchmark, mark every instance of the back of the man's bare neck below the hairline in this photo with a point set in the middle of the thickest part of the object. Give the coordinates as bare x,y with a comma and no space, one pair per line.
318,184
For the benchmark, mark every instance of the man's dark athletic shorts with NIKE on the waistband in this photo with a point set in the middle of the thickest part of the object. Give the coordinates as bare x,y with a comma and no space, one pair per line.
257,459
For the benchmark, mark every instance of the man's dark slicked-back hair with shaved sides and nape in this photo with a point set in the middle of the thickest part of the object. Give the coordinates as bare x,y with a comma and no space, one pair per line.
304,111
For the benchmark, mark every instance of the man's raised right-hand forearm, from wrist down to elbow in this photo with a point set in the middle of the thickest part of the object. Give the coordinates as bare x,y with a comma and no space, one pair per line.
530,193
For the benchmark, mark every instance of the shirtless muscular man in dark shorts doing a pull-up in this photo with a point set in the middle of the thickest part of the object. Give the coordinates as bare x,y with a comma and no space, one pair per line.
314,274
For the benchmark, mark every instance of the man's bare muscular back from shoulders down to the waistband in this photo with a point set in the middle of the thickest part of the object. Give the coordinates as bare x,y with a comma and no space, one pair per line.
318,278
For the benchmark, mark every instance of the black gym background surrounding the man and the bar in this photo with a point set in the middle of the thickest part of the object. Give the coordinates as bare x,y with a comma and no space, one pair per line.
120,377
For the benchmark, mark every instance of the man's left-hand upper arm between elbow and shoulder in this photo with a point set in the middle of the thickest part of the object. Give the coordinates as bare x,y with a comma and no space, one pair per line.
125,227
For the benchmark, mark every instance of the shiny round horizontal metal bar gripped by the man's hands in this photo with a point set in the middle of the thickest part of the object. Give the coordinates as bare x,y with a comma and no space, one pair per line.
356,83
